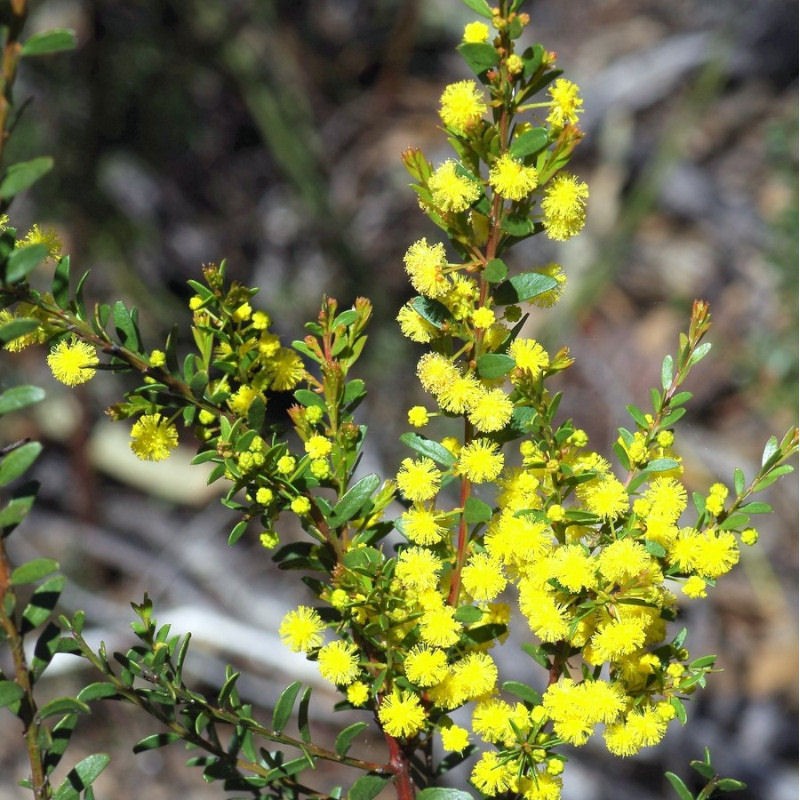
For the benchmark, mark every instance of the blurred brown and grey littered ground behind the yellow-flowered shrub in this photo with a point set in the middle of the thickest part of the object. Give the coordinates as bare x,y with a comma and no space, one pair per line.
269,133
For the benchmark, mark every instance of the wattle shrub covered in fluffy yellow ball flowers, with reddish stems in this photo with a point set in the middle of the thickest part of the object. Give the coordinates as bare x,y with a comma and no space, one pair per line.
506,515
